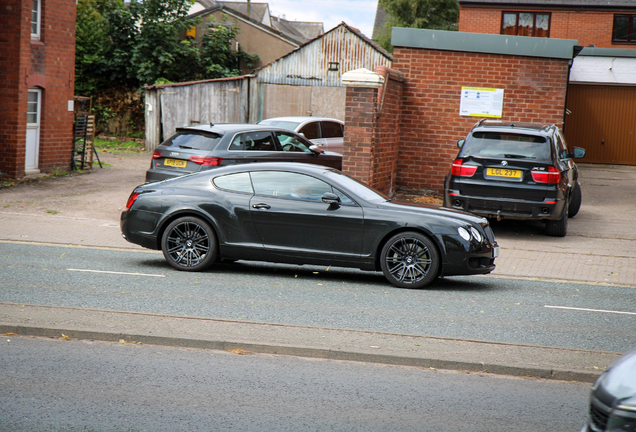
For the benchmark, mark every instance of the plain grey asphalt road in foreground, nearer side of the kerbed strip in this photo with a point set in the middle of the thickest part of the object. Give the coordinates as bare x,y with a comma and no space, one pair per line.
56,385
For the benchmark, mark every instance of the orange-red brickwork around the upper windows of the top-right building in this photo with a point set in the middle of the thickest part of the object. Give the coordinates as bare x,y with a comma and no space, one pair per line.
588,27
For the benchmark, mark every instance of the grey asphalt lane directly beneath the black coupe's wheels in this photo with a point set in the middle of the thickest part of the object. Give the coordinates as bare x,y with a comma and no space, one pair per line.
518,311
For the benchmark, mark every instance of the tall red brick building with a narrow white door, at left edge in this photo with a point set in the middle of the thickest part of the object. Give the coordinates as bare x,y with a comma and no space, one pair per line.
37,65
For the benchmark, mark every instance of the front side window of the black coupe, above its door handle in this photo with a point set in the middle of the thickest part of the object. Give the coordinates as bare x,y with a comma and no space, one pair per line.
290,185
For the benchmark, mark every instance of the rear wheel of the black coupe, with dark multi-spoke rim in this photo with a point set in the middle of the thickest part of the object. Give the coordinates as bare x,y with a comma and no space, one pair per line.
189,244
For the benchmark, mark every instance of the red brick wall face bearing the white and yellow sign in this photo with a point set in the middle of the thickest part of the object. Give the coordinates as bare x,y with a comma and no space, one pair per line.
534,90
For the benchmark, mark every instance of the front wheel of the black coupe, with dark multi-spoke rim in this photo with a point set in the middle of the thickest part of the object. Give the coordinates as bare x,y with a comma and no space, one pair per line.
410,260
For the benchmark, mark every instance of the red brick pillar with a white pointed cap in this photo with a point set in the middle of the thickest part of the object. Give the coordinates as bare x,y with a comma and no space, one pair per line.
360,123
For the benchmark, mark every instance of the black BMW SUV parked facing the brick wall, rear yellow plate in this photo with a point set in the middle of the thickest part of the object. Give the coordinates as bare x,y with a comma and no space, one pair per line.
516,171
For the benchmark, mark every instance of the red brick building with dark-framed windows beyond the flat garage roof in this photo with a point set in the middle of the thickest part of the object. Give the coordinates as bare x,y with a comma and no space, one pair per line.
604,24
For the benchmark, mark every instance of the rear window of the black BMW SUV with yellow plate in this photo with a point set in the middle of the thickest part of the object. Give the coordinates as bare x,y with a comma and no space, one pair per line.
506,145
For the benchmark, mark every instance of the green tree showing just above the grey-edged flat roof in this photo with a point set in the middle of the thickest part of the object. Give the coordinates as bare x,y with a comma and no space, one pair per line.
425,14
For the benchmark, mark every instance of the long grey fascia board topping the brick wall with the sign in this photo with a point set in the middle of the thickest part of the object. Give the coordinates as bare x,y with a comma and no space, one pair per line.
483,43
